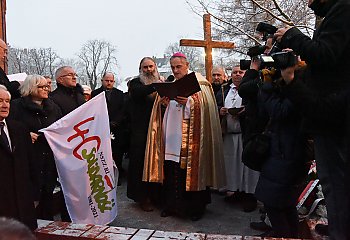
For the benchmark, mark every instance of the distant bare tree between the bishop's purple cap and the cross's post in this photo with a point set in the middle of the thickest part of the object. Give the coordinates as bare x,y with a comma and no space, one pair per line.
195,56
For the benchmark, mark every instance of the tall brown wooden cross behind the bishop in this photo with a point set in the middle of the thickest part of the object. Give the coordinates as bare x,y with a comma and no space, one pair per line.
208,45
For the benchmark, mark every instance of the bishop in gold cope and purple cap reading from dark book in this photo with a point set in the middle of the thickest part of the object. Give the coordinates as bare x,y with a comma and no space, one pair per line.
184,147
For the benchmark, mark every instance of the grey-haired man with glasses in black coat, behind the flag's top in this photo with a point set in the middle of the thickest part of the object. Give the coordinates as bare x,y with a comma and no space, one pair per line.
69,94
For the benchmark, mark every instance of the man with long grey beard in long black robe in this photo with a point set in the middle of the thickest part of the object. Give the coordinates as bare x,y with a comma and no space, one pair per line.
142,96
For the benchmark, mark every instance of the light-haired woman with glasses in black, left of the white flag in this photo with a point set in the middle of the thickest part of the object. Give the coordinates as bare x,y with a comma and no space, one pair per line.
36,111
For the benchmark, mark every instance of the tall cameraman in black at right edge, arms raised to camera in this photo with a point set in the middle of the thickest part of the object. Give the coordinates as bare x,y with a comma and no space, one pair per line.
323,100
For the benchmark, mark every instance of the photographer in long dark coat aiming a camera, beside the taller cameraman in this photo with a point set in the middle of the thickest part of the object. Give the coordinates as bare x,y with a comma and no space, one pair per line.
284,169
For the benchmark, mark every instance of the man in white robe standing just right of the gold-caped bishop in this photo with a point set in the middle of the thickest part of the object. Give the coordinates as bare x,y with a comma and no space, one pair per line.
241,181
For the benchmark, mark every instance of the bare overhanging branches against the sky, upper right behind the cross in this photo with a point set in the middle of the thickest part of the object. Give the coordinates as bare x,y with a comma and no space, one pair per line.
236,20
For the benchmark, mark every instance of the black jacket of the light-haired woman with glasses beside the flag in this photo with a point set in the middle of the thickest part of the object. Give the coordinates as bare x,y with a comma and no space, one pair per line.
34,118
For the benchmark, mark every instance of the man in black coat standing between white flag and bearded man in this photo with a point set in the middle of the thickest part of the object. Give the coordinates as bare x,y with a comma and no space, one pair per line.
115,106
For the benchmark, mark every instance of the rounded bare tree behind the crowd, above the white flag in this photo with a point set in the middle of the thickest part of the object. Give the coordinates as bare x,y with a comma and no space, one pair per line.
98,57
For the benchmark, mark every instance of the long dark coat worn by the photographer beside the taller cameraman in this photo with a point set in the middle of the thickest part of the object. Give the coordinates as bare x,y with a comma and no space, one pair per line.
286,166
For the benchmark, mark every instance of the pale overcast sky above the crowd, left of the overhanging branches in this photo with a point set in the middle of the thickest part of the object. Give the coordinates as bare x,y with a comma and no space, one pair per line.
137,28
